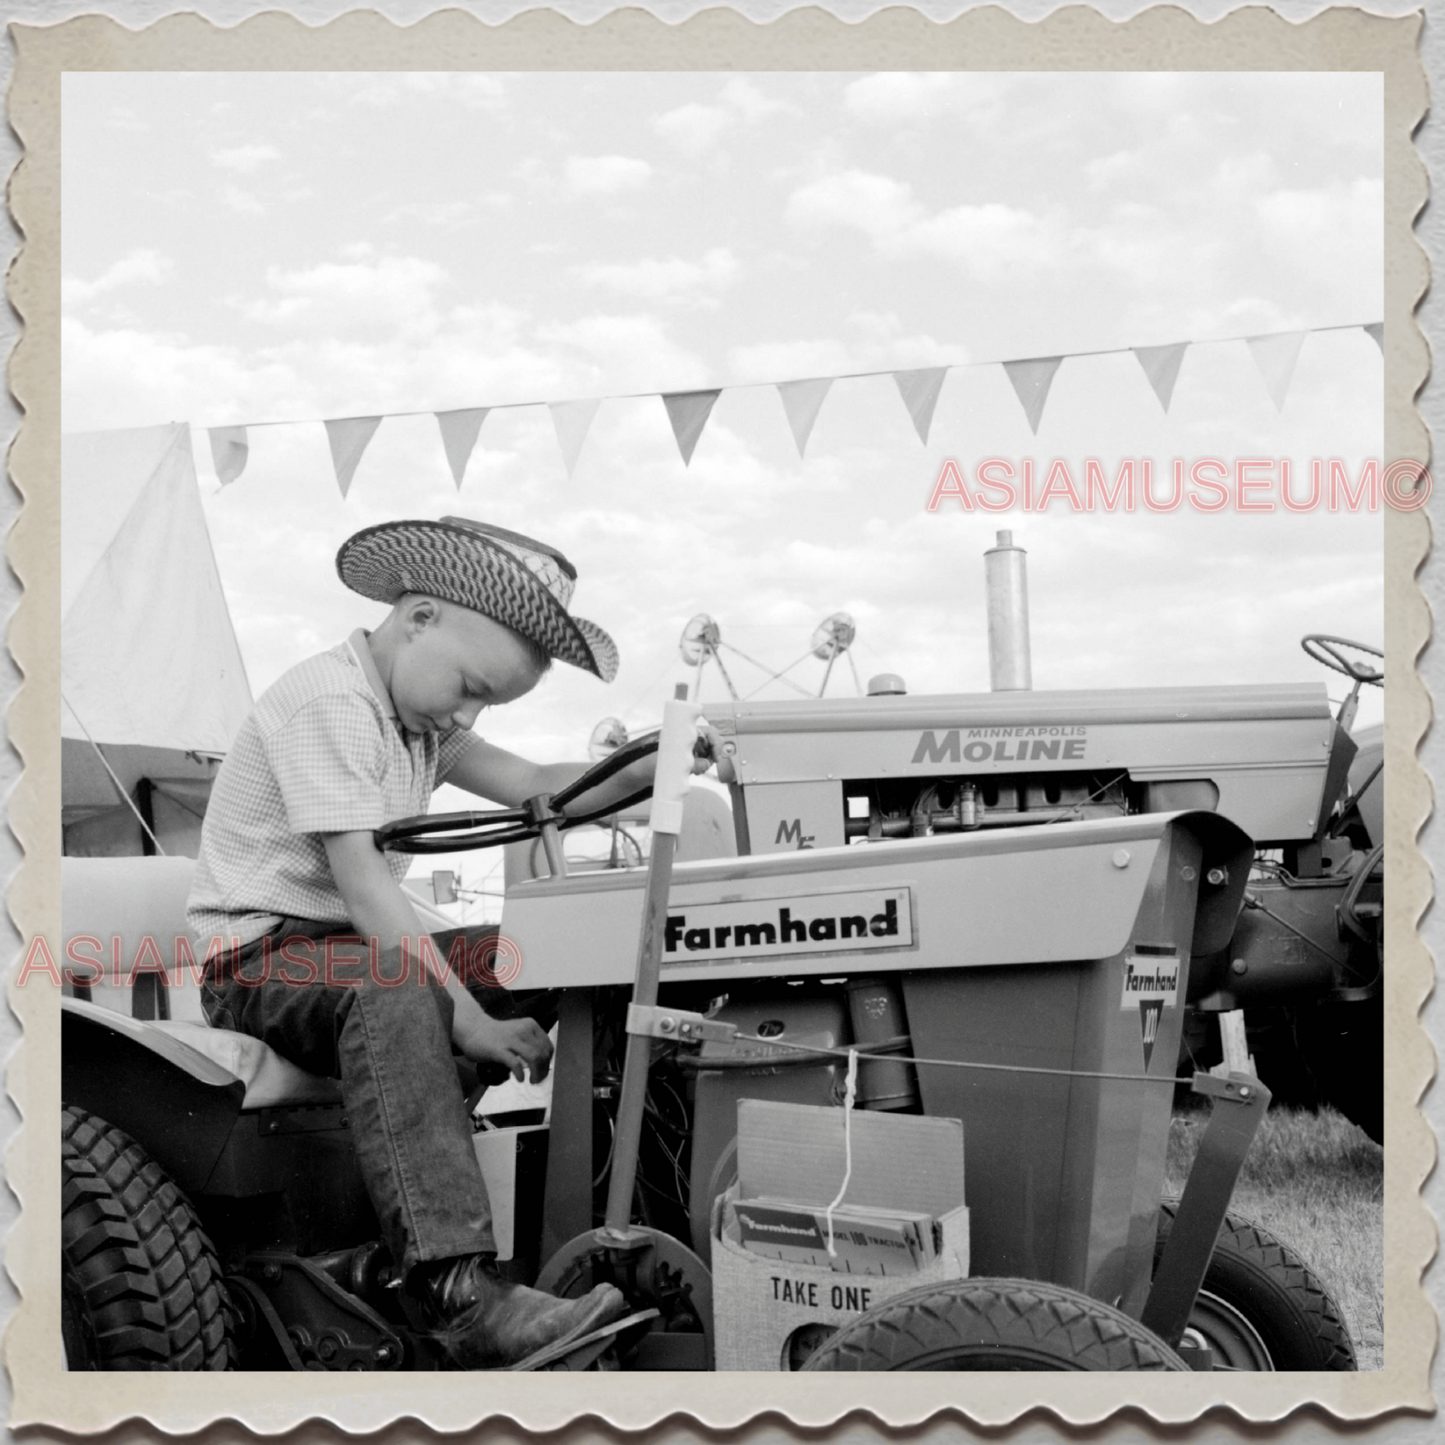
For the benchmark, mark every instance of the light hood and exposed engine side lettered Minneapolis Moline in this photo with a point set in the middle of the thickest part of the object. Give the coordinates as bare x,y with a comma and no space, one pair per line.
826,774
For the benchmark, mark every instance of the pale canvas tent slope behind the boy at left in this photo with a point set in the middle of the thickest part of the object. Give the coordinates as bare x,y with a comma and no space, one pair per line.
148,652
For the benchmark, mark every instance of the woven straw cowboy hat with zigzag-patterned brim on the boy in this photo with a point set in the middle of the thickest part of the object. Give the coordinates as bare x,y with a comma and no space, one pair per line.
514,580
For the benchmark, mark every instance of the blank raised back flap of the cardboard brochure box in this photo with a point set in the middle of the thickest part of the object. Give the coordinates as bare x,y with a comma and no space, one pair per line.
900,1161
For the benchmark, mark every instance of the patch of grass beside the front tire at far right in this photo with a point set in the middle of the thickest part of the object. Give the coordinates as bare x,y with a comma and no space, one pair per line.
1317,1183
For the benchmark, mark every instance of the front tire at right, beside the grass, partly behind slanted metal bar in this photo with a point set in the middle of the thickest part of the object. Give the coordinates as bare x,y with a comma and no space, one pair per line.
1259,1295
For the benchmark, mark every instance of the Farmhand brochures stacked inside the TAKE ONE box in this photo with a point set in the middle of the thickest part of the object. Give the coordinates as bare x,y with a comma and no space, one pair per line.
866,1242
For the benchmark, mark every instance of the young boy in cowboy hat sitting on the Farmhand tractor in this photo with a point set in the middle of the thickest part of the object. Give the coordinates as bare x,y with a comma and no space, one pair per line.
343,743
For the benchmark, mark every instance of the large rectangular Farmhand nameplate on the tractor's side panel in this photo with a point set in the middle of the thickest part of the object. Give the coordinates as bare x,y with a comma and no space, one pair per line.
858,923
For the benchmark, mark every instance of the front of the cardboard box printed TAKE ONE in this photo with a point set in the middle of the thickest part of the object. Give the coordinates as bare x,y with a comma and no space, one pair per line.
769,1314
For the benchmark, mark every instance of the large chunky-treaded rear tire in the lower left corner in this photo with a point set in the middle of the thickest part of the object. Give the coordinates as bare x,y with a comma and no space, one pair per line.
141,1282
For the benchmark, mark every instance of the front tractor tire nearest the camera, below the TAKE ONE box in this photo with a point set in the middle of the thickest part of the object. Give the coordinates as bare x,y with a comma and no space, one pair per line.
995,1324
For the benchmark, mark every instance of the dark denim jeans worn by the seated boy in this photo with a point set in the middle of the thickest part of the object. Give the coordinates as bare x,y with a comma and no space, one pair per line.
323,1005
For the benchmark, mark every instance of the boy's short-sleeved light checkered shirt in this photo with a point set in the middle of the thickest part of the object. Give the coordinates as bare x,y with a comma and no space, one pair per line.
322,752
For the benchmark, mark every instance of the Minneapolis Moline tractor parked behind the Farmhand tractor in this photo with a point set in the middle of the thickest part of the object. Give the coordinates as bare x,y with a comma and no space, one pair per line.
1306,956
